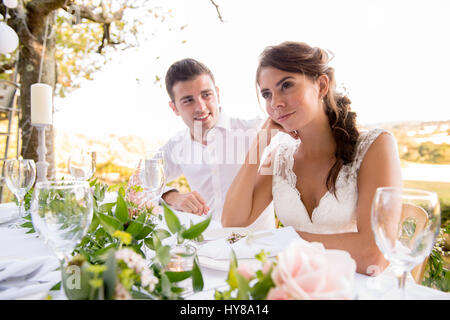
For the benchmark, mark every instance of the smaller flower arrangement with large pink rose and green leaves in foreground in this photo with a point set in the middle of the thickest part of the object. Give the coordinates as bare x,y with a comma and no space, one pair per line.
302,271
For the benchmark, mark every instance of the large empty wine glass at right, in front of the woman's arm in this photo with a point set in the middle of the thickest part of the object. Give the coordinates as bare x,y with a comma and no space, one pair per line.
405,223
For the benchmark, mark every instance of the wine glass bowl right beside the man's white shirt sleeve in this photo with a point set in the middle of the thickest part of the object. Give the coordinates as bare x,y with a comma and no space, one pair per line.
154,177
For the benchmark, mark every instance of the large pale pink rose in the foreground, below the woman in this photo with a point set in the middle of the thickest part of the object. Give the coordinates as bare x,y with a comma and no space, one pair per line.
308,271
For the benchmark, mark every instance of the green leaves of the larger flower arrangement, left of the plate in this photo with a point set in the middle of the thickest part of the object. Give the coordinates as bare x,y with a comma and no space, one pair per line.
122,224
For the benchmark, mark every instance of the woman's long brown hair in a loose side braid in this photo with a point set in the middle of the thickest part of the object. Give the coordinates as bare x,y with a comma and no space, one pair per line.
299,57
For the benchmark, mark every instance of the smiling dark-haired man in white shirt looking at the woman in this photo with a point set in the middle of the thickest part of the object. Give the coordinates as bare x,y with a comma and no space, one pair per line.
211,149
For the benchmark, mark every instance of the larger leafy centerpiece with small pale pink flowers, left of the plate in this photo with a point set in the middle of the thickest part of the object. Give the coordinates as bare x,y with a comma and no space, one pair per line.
123,254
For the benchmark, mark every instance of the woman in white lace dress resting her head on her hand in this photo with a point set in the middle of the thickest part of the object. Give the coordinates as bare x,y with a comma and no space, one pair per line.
321,172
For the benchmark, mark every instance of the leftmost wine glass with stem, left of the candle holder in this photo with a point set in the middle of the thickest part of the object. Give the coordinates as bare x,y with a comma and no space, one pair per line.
20,175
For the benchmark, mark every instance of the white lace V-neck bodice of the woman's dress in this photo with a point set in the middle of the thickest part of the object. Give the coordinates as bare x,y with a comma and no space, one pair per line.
332,215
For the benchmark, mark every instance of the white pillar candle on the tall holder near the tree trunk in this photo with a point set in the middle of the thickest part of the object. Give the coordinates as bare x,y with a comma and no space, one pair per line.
41,104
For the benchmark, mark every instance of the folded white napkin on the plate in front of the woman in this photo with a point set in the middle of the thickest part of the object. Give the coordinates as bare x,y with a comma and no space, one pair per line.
271,241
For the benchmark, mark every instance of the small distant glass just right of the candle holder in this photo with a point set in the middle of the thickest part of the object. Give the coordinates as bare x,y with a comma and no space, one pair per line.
82,164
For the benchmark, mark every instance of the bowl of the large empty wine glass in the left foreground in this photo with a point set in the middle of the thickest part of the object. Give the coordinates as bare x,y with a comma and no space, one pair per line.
61,214
